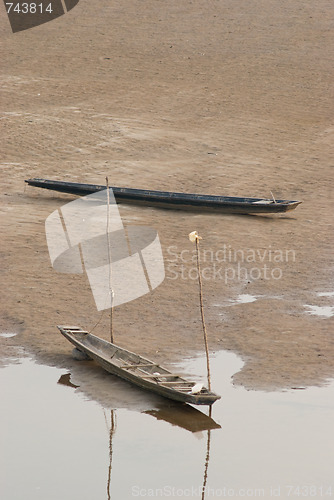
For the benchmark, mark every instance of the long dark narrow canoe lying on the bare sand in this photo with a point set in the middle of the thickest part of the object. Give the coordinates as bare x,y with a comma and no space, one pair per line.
166,199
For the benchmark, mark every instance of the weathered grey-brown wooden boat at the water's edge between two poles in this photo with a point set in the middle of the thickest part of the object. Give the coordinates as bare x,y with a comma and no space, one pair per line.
136,369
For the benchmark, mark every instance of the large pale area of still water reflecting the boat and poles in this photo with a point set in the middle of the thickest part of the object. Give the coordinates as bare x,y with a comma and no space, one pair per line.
58,443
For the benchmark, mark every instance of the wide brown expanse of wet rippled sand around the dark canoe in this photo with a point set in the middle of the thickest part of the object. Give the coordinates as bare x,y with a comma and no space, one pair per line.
220,98
